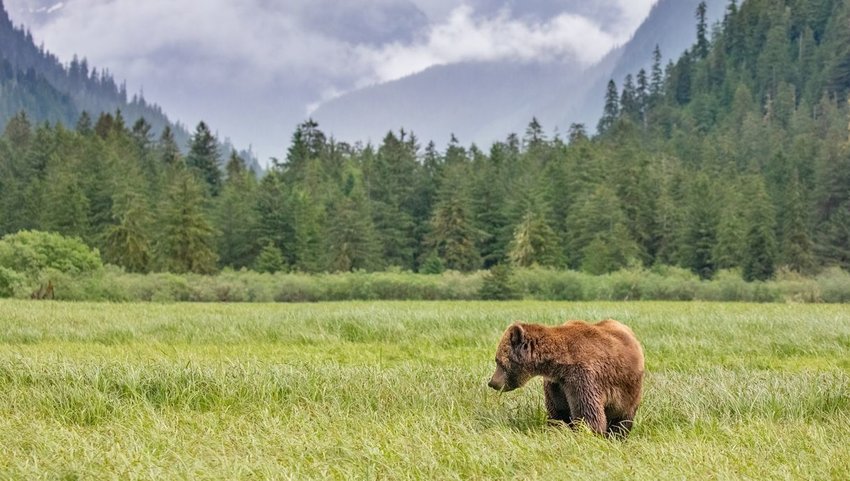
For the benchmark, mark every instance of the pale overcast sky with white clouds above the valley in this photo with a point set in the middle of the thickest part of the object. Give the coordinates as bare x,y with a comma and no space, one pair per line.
254,68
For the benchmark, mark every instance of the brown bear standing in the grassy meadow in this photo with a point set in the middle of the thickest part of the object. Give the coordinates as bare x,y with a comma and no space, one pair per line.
592,372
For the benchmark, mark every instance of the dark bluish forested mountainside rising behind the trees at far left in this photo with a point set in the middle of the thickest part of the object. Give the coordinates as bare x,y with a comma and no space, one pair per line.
35,81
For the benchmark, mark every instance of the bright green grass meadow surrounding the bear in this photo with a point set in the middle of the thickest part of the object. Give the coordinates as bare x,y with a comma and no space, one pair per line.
398,391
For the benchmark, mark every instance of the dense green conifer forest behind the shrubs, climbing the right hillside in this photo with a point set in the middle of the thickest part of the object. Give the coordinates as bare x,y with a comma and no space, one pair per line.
735,156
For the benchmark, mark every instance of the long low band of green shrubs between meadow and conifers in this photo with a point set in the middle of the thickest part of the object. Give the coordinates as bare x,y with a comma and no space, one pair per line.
636,283
